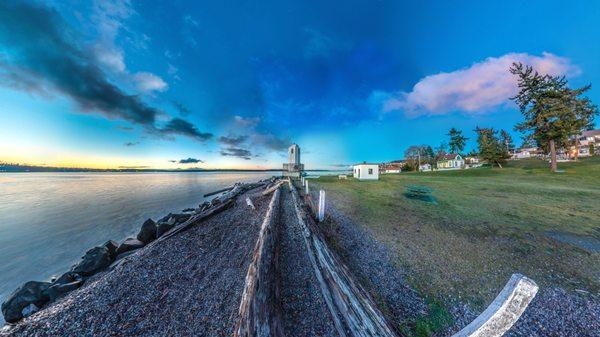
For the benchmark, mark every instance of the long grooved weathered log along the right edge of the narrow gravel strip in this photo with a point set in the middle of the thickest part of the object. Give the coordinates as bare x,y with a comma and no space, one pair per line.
353,311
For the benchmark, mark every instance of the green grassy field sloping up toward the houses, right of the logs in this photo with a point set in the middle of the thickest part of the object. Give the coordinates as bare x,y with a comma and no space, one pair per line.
487,224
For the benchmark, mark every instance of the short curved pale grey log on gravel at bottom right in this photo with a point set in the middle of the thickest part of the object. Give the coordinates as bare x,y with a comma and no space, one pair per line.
504,311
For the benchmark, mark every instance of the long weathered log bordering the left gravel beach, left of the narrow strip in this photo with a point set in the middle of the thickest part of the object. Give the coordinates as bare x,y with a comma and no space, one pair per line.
260,314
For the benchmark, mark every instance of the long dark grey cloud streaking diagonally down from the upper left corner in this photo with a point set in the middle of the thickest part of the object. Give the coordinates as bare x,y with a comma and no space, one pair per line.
43,55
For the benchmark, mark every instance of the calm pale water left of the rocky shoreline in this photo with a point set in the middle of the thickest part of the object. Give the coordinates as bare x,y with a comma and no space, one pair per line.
49,220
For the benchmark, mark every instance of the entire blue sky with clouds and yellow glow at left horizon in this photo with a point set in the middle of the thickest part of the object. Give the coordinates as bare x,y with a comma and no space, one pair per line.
231,84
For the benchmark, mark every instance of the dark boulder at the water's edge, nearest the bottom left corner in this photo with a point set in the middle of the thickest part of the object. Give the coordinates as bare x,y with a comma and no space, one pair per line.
31,292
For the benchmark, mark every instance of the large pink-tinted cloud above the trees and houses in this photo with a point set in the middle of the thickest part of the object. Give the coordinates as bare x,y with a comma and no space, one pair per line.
478,88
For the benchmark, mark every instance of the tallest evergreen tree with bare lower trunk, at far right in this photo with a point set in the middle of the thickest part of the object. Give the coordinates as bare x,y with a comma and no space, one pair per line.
553,112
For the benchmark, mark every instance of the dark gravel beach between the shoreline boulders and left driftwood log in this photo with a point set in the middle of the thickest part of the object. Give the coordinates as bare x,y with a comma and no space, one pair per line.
188,285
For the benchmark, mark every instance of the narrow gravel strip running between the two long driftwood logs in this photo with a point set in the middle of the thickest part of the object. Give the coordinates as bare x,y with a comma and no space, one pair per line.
304,311
